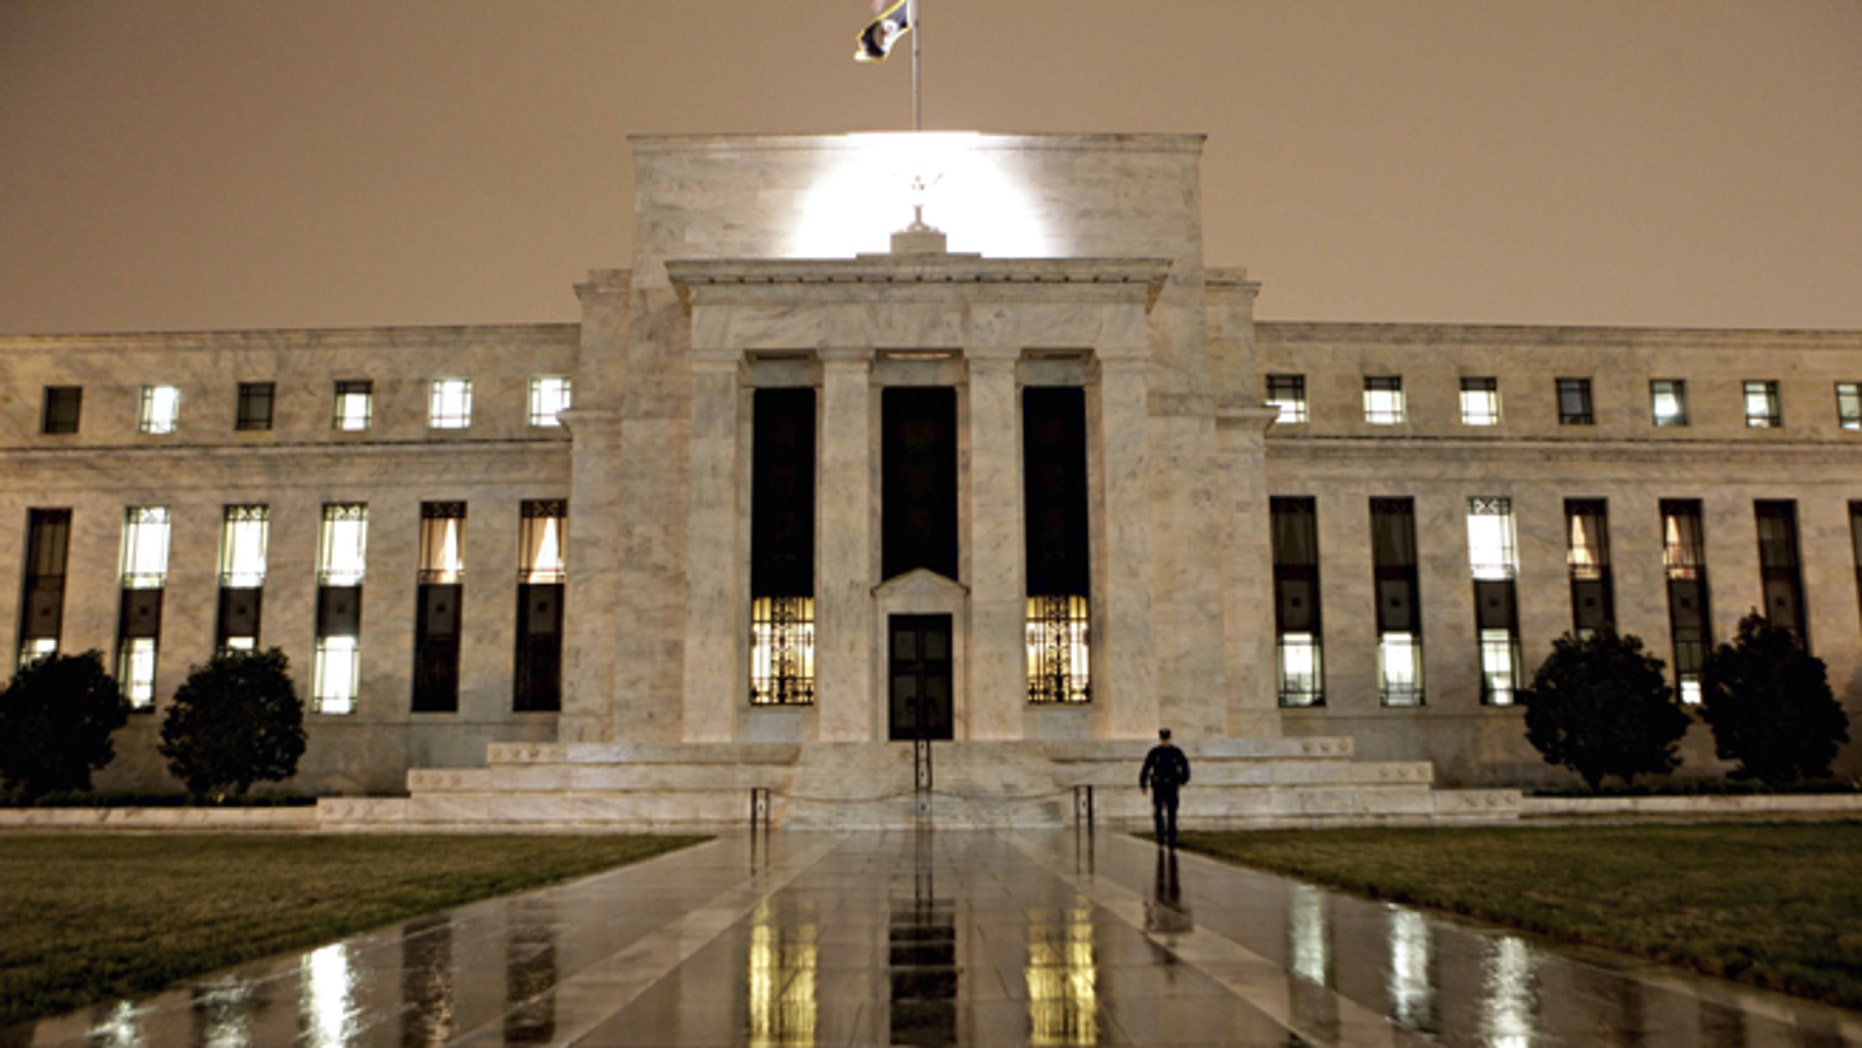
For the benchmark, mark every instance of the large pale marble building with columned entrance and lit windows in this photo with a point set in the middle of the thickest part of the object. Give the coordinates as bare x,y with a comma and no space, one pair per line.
1062,489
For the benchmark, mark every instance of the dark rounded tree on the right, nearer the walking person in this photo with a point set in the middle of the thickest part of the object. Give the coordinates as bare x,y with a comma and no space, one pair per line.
1600,706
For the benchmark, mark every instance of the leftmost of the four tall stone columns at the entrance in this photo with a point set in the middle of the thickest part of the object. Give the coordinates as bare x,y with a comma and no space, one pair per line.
714,574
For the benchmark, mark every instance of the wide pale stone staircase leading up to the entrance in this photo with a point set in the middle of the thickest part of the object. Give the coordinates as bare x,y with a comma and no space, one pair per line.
710,786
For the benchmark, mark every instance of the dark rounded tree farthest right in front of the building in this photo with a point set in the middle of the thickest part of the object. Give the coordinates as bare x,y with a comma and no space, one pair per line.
1770,706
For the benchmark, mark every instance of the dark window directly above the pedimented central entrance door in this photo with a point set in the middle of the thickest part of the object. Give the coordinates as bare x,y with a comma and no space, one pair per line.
919,481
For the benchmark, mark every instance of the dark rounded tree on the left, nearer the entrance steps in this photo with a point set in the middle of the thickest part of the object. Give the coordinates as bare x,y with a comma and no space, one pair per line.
236,721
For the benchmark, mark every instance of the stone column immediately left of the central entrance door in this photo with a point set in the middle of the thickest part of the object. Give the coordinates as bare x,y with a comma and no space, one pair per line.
844,550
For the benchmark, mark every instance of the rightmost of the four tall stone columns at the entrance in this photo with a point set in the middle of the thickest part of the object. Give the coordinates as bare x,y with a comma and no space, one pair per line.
1124,639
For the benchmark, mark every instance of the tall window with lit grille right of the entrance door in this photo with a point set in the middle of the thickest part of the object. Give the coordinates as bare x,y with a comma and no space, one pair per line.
1057,544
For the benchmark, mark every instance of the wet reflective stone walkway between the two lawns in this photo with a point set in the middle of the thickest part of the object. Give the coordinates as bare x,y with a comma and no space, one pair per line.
956,937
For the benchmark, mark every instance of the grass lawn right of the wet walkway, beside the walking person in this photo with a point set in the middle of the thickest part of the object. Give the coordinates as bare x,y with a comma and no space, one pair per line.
1775,906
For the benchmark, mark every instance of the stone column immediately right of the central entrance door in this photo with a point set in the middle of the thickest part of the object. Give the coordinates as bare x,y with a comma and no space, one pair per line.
997,652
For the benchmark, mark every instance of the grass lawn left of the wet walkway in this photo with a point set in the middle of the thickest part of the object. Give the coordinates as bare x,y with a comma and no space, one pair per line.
101,917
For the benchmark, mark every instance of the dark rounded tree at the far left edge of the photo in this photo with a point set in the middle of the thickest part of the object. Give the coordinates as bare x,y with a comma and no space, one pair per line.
57,718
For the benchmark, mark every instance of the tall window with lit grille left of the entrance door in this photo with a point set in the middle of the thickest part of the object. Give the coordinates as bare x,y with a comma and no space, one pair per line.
783,546
